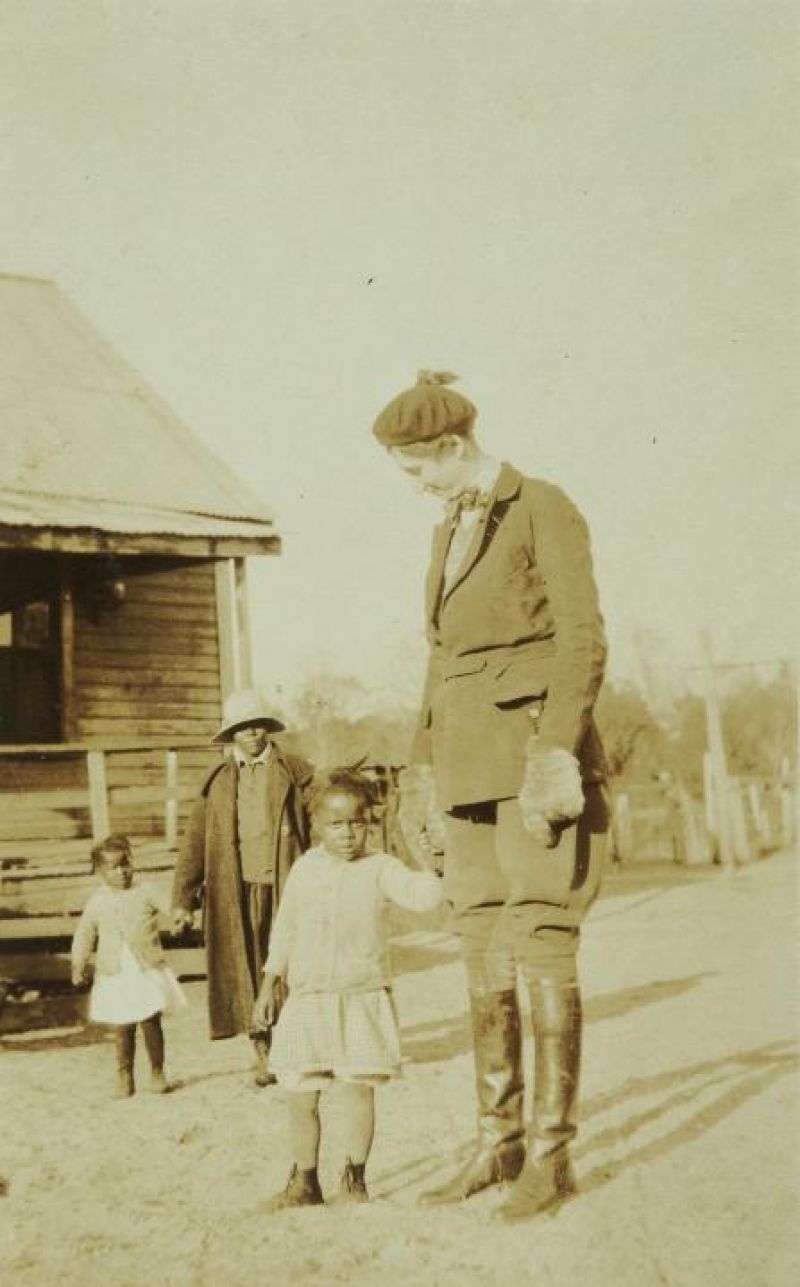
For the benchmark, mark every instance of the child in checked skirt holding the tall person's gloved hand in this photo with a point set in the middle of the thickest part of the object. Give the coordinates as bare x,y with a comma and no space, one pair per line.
330,944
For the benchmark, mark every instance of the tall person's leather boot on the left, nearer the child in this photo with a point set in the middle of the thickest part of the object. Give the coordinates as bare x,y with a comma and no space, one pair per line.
500,1153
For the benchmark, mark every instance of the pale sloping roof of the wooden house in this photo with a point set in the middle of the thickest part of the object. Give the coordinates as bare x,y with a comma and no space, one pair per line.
84,442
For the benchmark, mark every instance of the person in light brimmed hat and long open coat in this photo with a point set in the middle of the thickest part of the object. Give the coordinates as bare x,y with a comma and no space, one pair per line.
242,837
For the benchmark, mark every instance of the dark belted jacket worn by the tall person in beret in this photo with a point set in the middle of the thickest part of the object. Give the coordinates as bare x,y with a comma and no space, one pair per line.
518,633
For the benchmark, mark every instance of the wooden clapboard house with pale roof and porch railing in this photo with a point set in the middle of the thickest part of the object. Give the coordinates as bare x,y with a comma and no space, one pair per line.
123,607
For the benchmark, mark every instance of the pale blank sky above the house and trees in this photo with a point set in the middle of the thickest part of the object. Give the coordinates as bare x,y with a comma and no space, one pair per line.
588,209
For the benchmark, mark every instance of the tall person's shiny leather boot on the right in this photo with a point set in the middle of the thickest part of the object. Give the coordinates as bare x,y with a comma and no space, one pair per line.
547,1178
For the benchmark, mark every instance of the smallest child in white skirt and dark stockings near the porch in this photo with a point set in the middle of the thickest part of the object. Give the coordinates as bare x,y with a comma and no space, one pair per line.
133,984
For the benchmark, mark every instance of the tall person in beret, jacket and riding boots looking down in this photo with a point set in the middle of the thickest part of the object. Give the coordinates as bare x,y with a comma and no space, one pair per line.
509,751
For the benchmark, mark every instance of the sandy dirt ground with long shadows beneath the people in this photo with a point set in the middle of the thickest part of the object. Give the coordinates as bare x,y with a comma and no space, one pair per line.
687,1155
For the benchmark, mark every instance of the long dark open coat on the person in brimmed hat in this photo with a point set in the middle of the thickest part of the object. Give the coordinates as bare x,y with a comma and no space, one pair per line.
209,875
